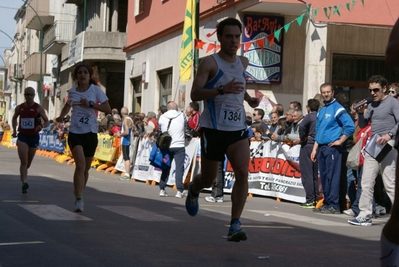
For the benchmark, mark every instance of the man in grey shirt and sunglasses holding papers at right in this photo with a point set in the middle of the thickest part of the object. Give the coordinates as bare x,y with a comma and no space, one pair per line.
383,113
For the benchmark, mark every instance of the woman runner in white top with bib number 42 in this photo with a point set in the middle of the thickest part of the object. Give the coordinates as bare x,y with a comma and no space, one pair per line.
85,100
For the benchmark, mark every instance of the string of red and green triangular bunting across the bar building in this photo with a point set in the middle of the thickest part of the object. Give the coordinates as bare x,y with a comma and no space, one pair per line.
309,11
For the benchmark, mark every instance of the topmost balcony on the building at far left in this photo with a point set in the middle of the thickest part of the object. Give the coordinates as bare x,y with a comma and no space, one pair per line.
42,7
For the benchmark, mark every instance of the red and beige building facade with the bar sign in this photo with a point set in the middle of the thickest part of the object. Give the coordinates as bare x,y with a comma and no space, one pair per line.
292,47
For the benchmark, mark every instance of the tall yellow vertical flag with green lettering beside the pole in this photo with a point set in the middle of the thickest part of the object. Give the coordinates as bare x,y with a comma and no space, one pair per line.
188,37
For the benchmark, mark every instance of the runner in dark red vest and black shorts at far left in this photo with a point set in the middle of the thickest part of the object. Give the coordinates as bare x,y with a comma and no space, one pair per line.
30,124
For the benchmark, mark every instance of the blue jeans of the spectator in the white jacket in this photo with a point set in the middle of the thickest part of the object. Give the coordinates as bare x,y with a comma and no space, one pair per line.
177,153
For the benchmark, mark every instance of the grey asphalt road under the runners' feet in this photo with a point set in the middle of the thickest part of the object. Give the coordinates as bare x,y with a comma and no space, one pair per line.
127,224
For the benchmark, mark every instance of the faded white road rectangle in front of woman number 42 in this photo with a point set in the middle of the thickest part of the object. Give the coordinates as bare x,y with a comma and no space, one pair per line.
53,212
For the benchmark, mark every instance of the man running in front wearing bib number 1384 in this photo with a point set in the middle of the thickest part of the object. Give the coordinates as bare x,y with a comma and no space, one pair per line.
220,83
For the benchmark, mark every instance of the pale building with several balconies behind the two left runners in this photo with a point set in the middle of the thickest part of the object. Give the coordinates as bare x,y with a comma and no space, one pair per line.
56,35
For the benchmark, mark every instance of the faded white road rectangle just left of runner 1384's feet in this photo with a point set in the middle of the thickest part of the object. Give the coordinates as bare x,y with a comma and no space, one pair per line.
139,214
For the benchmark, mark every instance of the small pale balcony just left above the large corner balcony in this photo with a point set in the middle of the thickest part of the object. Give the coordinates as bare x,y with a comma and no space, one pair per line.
60,33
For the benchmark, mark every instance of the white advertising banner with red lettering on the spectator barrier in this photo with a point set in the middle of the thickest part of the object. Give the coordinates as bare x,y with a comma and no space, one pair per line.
273,169
